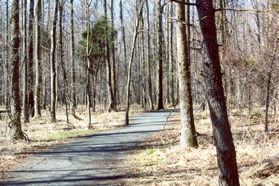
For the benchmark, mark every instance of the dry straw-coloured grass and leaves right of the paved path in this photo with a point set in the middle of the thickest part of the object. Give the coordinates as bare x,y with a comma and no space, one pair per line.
161,161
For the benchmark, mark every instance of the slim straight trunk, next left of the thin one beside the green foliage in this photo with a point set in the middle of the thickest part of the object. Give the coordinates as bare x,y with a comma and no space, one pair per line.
72,56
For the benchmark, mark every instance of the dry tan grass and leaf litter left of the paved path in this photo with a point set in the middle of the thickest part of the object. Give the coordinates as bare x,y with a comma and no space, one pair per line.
43,133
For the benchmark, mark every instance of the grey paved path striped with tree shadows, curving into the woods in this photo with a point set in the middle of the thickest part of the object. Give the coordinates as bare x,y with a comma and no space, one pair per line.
90,160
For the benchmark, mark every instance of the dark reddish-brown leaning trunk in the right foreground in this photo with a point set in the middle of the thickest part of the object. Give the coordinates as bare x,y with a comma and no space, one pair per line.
226,155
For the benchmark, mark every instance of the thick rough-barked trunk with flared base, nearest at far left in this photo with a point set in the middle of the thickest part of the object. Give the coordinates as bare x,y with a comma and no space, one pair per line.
15,124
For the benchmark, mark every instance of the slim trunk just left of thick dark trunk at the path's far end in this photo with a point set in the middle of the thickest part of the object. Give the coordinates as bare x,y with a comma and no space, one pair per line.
148,74
